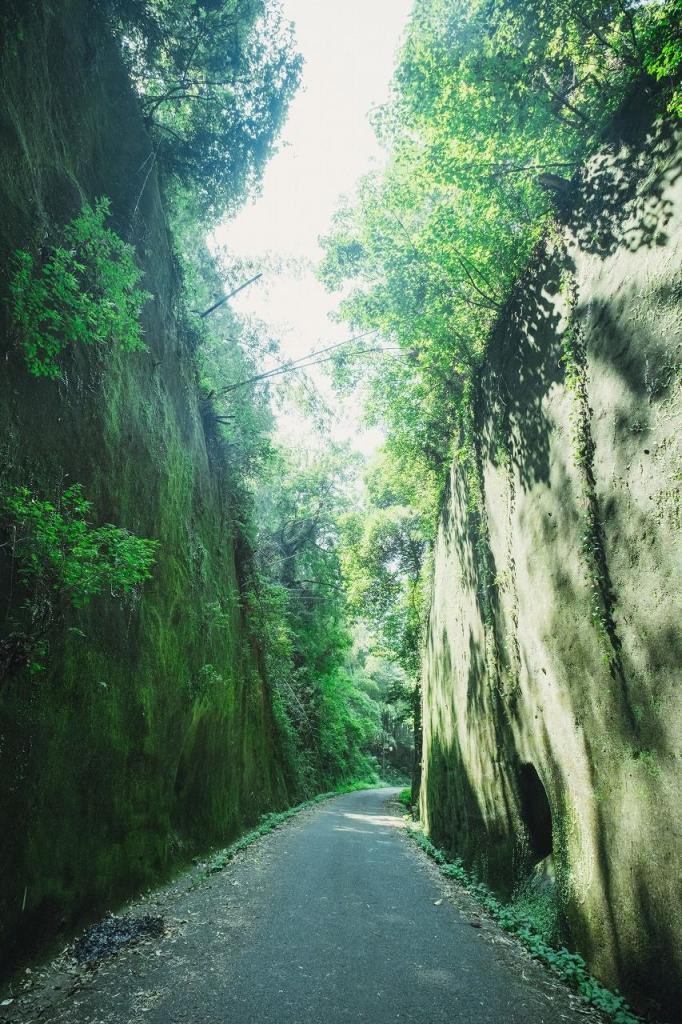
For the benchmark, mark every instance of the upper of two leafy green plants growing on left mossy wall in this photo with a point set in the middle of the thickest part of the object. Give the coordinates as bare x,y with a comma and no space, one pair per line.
84,291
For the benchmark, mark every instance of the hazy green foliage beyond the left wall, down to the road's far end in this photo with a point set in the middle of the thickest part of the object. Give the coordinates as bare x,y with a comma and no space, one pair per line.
337,705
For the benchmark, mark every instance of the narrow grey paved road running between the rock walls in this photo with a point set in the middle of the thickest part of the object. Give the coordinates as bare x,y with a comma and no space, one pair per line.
336,918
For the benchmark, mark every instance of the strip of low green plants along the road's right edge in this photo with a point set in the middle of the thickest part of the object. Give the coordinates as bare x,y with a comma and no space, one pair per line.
571,967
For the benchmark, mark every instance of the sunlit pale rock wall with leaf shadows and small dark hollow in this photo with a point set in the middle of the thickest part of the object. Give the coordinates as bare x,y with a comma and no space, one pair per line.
551,711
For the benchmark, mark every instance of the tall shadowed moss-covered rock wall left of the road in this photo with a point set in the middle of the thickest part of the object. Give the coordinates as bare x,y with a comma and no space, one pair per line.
149,735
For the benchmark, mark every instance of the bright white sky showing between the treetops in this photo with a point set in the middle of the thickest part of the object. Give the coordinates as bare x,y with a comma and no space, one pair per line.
350,49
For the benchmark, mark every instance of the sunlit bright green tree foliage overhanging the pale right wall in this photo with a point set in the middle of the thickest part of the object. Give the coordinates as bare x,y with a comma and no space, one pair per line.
494,104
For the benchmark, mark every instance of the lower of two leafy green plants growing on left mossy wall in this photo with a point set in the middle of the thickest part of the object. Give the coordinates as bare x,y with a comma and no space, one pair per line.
61,560
